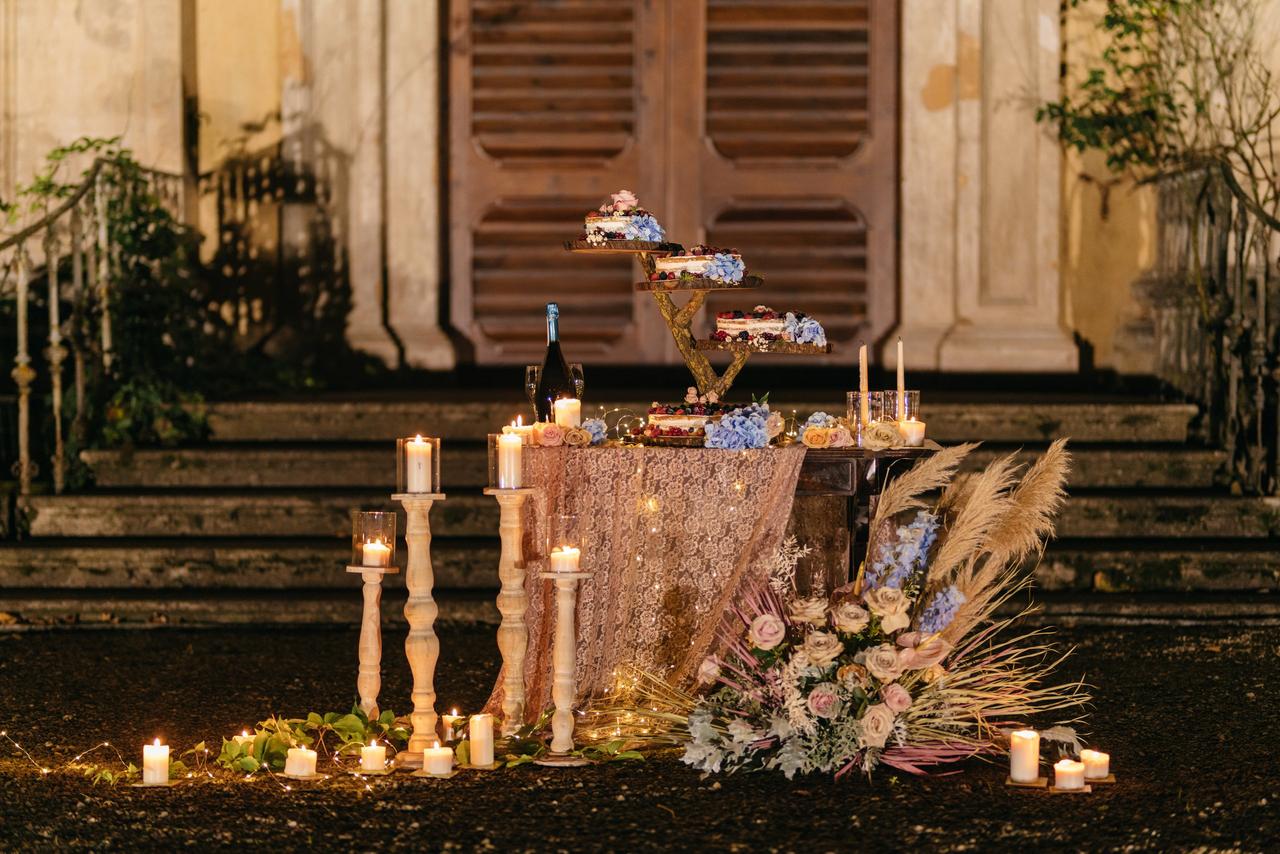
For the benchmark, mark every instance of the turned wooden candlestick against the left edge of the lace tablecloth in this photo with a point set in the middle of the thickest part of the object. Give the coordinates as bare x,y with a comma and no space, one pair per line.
513,604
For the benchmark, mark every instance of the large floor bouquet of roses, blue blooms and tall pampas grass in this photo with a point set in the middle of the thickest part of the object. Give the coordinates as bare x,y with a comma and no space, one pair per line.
906,668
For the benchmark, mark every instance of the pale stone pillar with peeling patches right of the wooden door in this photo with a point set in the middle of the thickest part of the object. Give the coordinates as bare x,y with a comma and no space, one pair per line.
981,184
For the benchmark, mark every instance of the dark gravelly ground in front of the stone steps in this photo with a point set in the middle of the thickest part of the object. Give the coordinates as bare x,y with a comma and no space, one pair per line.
1190,715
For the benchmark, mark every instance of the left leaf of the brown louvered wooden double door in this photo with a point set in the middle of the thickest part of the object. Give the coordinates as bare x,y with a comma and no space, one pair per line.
546,122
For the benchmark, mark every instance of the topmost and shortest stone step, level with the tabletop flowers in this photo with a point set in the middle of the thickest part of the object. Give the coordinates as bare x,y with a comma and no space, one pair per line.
386,421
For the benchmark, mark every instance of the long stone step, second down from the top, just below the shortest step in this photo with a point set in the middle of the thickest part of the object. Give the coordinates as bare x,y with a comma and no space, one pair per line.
367,468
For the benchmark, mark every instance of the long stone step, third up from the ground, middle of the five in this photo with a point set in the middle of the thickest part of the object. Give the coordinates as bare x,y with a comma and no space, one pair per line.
328,515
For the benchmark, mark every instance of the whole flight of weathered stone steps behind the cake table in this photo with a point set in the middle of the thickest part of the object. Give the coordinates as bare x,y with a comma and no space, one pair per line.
255,526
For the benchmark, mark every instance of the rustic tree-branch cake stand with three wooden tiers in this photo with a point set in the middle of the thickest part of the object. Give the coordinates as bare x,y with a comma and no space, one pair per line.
680,319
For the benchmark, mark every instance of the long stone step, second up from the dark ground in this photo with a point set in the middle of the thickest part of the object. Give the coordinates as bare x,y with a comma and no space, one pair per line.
185,565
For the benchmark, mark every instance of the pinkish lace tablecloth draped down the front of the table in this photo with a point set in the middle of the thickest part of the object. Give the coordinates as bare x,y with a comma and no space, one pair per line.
670,533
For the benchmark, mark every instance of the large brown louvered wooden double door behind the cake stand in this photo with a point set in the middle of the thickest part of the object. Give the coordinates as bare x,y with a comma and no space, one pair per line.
767,126
